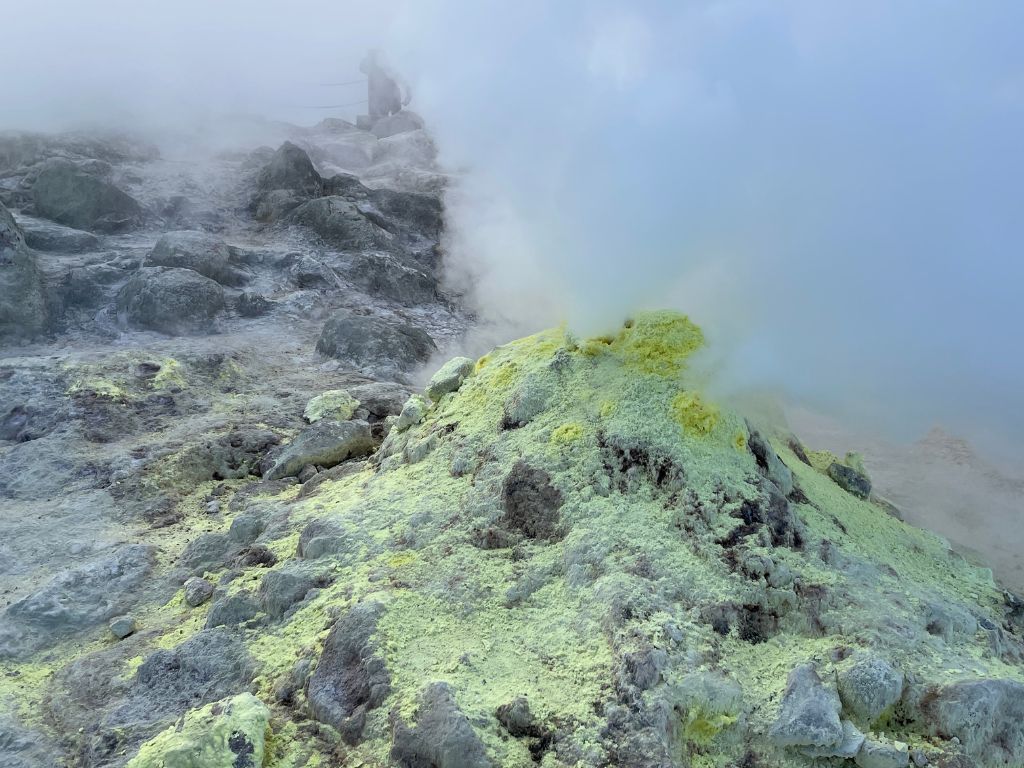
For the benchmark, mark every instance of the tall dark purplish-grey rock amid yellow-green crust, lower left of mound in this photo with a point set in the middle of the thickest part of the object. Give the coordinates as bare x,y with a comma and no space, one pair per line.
352,677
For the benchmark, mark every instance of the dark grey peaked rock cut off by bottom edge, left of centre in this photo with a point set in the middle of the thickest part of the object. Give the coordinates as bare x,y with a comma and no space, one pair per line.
443,737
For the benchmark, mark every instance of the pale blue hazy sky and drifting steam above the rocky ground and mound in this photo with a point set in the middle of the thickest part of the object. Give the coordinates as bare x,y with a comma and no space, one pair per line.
834,189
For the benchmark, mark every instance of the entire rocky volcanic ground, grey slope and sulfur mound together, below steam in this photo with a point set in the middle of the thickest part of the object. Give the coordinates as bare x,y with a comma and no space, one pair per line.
236,534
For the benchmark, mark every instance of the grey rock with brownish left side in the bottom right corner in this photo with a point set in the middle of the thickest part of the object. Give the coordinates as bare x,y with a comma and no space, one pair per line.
988,717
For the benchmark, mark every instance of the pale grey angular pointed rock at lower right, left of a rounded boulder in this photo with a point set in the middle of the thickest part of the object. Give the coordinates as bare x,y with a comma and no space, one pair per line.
809,715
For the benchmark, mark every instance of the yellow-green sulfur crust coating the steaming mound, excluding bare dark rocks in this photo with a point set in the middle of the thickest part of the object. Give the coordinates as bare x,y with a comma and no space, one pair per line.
543,619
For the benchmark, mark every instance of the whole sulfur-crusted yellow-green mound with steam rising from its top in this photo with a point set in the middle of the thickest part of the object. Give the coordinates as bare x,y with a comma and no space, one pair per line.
562,554
